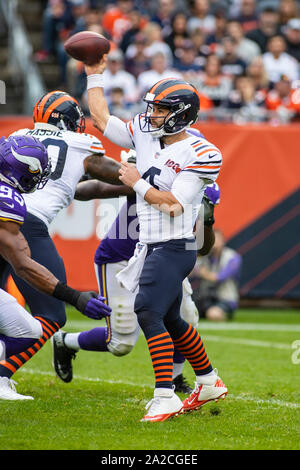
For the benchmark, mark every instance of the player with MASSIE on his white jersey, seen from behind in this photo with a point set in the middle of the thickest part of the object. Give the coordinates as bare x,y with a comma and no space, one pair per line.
59,125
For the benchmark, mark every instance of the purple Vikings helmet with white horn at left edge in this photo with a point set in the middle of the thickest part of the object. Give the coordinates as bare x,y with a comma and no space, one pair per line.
24,163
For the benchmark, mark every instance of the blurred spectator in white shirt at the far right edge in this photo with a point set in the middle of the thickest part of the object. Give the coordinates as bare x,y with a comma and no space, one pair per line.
278,62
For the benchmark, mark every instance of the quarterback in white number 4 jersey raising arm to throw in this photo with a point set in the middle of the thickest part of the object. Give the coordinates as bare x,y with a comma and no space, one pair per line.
171,173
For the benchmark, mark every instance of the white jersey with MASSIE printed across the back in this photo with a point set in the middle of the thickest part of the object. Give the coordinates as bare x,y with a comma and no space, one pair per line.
67,150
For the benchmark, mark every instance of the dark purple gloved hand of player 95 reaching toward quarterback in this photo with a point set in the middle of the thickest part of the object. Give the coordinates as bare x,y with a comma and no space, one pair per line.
92,305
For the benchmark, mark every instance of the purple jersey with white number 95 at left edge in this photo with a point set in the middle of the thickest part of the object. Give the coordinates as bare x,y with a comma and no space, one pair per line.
12,204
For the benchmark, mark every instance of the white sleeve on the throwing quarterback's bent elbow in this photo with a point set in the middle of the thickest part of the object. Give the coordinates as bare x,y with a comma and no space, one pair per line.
186,187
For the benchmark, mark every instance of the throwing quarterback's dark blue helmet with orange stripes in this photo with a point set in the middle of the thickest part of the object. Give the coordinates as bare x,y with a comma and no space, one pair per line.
180,98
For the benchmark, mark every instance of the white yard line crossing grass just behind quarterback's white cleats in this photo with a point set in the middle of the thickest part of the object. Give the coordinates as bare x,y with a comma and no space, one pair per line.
270,402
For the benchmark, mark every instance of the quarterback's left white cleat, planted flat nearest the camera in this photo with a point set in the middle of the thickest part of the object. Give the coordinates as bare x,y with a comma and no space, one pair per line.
164,405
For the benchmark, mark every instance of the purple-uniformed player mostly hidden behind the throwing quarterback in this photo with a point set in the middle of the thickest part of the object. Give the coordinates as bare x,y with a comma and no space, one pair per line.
120,334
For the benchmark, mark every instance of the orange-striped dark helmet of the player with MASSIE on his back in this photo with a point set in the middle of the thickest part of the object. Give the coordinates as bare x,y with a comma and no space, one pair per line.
61,110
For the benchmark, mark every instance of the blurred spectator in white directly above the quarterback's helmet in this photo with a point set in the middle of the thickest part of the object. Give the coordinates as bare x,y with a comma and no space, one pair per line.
158,71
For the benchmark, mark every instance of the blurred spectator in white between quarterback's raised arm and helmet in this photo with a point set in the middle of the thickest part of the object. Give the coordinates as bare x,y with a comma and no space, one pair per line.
114,76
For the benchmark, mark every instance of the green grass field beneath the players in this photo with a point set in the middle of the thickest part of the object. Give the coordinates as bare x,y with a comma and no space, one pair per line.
101,408
